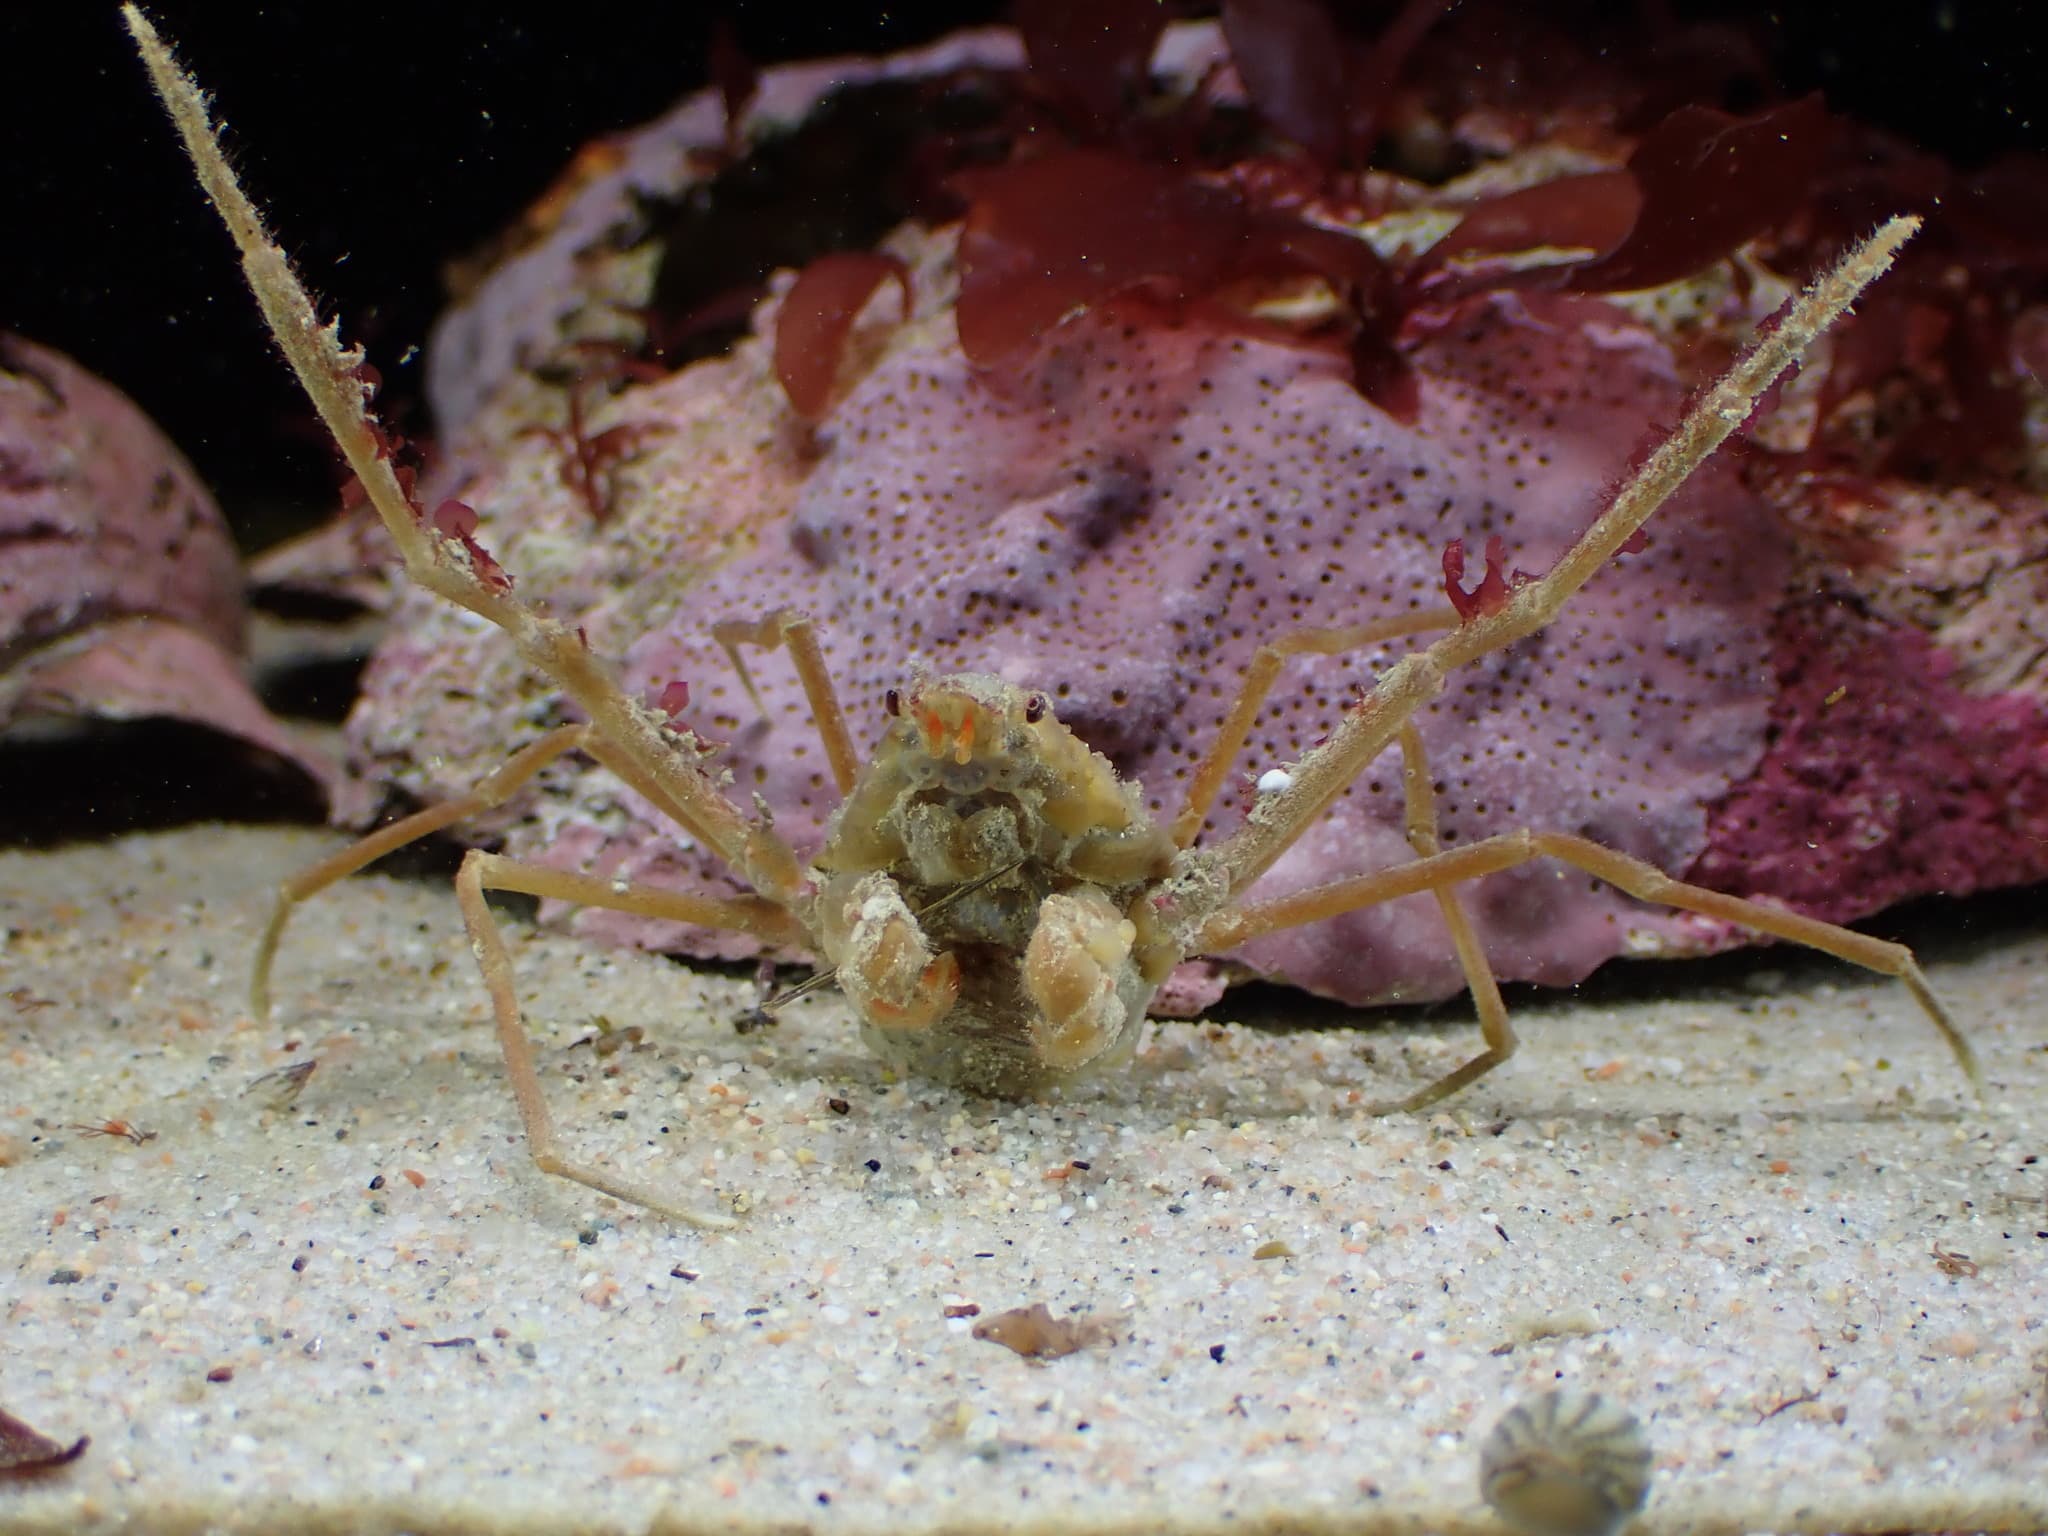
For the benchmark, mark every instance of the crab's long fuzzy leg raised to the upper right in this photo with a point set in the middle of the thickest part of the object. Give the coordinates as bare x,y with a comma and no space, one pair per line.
1414,681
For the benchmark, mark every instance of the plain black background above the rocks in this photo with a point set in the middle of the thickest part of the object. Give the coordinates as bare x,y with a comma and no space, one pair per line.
386,138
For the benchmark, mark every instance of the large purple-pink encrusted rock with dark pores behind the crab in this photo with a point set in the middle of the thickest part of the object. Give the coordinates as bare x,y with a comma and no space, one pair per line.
1123,519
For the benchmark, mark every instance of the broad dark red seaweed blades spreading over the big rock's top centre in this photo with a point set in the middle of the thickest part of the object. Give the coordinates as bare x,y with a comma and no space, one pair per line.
1052,237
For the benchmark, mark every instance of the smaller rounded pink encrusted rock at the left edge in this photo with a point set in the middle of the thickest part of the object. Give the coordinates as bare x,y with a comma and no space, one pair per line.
120,587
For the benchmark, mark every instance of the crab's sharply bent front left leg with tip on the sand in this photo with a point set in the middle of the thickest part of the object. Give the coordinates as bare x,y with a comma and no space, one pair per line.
493,873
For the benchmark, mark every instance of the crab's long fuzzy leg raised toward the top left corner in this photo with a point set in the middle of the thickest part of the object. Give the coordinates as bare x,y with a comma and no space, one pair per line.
331,378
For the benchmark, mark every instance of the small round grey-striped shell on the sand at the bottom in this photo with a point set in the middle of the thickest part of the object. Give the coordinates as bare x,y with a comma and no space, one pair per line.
1566,1465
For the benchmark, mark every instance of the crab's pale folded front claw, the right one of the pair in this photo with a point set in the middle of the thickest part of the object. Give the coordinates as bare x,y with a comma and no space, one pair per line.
1074,972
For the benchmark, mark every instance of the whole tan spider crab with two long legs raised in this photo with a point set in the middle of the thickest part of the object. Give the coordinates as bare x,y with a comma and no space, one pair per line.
996,902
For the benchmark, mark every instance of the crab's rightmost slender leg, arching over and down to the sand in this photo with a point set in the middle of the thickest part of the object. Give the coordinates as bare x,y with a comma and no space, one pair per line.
1633,876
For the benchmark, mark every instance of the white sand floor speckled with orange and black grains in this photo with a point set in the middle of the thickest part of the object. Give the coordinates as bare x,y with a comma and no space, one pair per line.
1744,1201
